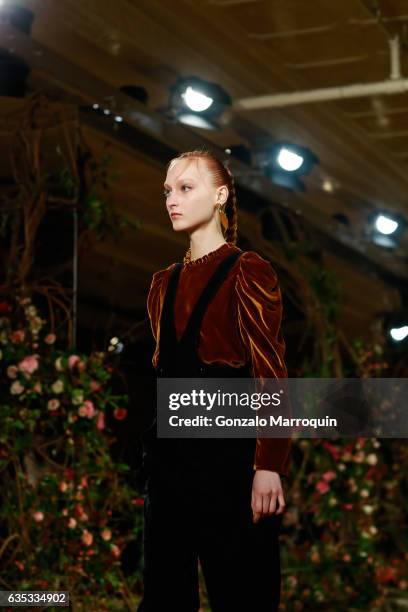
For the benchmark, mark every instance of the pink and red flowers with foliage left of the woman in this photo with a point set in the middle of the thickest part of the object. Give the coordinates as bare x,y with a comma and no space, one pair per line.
66,505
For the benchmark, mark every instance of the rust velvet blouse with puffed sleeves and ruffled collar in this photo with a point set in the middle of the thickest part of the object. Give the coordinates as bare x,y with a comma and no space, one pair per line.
242,324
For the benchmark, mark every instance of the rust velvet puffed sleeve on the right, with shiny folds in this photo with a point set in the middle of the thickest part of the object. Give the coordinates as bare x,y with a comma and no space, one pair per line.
259,320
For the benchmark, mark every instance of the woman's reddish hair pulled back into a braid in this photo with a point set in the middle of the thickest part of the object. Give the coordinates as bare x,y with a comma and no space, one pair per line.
221,175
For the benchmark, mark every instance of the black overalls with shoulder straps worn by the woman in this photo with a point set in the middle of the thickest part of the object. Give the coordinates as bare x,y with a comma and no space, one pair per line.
198,495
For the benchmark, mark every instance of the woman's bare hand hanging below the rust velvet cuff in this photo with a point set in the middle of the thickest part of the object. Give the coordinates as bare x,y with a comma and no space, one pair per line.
266,490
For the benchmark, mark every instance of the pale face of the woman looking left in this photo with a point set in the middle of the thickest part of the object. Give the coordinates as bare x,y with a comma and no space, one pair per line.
190,195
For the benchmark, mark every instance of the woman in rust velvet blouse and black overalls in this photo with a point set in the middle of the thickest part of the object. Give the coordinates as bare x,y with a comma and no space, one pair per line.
217,501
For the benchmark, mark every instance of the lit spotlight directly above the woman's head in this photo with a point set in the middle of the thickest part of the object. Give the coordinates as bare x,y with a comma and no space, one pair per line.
196,102
